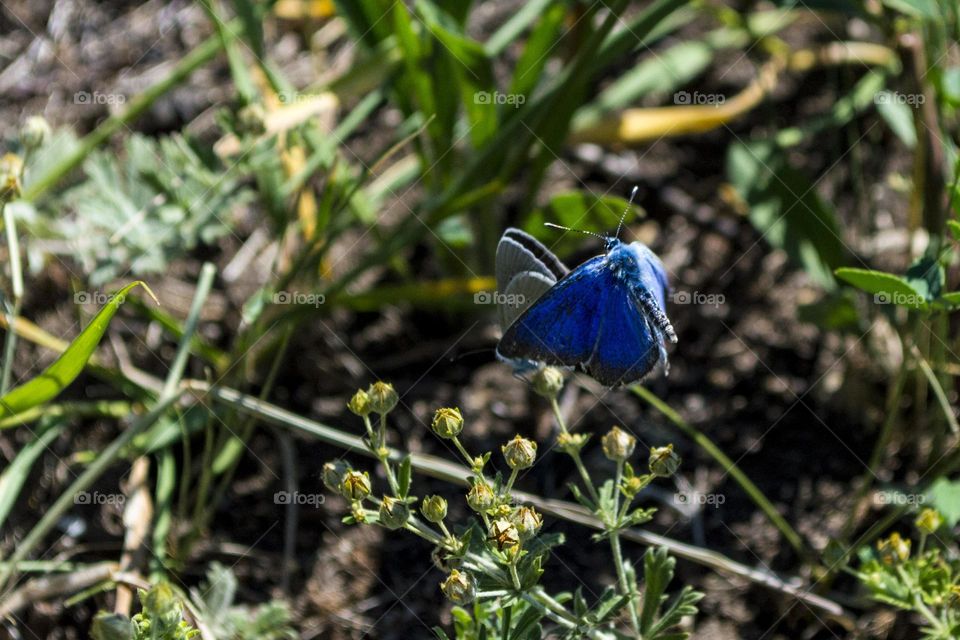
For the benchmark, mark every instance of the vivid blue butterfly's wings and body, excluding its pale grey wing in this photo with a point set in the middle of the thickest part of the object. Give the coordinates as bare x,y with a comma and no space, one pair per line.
607,316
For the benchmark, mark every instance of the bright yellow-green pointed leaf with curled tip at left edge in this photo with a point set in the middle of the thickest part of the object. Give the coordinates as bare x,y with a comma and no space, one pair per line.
67,367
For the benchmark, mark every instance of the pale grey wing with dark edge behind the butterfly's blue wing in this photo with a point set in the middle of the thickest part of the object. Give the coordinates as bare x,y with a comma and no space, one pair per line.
525,270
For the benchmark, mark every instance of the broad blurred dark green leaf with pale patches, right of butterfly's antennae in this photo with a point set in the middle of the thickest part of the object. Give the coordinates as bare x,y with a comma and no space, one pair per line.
786,209
